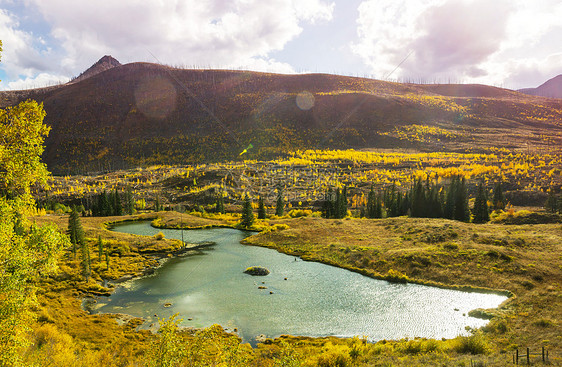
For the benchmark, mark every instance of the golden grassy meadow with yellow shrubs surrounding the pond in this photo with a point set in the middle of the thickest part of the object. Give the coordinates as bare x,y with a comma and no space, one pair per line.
517,253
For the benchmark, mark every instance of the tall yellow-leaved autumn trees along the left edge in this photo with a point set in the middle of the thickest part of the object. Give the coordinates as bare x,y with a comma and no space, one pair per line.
27,251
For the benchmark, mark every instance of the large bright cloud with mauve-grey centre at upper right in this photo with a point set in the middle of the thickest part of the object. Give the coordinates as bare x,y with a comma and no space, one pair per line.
510,43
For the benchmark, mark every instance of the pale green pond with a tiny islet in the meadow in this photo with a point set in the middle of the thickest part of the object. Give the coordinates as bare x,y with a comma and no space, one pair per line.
298,297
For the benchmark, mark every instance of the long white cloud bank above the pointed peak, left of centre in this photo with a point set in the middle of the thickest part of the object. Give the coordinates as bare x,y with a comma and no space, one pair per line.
217,33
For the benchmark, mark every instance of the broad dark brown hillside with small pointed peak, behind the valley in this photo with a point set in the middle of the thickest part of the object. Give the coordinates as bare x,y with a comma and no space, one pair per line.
121,116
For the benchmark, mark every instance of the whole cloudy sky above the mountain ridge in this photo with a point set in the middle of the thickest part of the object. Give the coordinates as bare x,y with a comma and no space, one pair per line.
506,43
